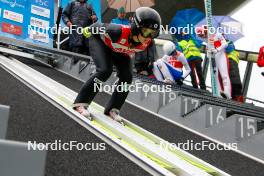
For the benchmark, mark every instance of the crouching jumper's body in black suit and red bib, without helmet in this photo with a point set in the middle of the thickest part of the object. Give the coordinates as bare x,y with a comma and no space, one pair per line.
108,49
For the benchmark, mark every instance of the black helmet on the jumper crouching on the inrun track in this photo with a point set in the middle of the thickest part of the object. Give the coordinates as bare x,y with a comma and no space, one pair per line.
147,18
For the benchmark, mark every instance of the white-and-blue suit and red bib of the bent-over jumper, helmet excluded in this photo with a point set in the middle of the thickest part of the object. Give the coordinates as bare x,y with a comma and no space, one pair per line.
170,68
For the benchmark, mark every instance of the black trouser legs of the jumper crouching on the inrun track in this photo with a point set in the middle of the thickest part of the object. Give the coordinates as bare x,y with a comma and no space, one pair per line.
104,59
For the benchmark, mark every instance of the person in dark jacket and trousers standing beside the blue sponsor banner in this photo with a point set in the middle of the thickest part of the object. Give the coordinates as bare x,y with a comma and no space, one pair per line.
78,14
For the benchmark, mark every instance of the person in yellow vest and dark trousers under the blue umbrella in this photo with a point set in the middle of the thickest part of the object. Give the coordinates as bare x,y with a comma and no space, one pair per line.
190,48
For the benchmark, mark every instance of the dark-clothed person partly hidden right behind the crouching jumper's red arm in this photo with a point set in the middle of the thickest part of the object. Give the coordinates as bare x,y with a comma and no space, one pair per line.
144,60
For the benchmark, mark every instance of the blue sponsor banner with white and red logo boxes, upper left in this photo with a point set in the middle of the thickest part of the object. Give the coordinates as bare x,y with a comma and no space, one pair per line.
18,16
